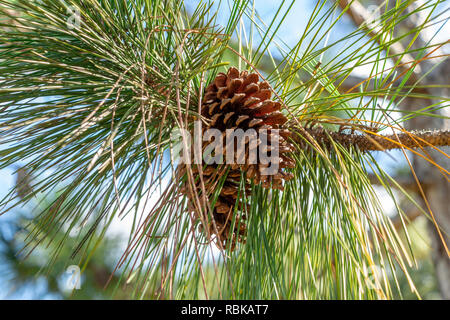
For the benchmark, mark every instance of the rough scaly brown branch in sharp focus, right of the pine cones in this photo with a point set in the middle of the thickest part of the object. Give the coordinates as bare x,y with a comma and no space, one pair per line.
371,142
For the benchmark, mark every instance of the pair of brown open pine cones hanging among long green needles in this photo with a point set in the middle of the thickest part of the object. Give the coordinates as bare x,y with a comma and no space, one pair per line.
238,100
